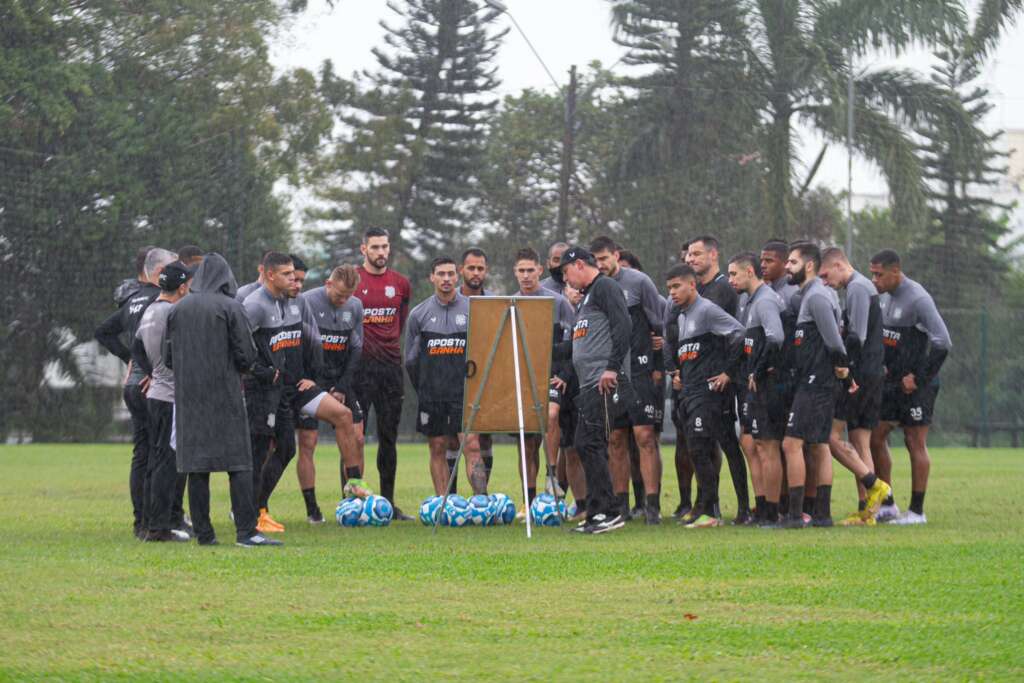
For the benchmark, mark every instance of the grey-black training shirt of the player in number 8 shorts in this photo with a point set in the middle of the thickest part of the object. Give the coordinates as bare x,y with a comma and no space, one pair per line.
701,343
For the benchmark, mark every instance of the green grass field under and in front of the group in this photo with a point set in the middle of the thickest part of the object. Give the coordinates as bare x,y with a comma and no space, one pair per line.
81,600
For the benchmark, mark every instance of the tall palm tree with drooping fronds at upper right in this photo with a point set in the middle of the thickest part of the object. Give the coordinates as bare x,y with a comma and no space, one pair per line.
801,52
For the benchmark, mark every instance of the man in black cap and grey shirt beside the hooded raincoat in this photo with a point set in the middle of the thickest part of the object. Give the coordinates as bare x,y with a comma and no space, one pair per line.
163,481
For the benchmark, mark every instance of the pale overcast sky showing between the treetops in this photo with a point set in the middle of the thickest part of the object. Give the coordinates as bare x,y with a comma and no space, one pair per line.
577,32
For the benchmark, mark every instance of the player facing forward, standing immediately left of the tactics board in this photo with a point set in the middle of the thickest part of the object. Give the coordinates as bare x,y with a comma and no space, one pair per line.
436,361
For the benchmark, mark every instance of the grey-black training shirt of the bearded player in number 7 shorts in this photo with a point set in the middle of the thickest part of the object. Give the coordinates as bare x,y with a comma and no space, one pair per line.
820,348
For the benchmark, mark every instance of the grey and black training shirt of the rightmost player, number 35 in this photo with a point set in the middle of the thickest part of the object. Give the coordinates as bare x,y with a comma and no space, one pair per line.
916,337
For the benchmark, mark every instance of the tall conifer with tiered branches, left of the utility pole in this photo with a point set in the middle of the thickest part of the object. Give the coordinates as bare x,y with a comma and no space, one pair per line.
412,152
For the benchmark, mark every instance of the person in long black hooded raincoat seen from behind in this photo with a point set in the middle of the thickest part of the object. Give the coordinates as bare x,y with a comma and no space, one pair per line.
209,348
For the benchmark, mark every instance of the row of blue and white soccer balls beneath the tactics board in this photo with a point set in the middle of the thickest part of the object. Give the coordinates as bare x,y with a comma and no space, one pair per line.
493,510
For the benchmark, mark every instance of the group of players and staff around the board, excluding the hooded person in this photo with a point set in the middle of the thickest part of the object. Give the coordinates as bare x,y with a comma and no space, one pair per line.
788,360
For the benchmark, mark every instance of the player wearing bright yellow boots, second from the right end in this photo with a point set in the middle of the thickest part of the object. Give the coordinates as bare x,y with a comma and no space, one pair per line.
859,413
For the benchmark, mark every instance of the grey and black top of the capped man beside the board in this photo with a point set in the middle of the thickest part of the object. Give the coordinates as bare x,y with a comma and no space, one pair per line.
602,332
